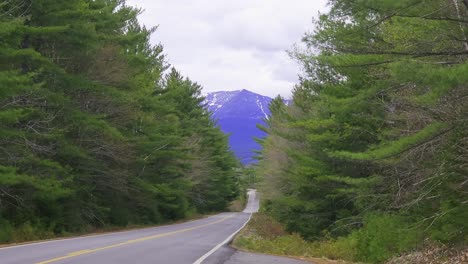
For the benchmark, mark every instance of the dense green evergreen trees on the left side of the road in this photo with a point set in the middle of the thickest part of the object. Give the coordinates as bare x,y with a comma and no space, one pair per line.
96,129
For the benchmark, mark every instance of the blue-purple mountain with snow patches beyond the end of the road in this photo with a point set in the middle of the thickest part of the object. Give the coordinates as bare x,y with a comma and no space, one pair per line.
237,114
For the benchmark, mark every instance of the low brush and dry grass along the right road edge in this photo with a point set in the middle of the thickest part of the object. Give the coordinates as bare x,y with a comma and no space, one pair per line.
264,234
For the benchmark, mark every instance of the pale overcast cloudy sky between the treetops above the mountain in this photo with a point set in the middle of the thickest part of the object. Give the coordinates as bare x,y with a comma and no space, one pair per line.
232,44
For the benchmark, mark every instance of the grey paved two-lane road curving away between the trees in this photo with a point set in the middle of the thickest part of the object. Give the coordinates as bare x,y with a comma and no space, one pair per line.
184,243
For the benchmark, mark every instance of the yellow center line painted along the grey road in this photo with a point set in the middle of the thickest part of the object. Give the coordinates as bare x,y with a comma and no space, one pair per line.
128,242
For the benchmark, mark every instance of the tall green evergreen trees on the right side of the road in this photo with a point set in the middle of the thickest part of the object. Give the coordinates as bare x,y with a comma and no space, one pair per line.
372,154
